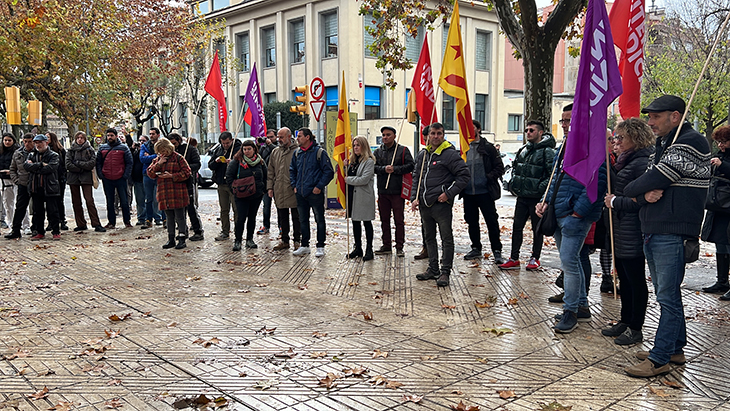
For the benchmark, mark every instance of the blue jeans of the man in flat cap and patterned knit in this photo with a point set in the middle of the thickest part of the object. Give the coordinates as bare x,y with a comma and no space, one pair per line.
665,257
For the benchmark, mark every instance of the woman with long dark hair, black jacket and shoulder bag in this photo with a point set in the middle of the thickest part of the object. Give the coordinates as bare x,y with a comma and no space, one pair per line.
247,162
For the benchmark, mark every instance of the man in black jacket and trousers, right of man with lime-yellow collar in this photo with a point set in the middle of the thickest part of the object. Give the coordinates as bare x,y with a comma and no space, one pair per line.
485,166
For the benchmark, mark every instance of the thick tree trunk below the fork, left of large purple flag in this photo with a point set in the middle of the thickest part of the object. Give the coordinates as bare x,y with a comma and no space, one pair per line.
538,63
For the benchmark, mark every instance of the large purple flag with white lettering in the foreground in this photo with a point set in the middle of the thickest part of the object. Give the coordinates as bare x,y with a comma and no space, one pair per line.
599,83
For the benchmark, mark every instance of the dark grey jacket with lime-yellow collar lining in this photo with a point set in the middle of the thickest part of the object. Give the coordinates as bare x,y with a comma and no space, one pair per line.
444,172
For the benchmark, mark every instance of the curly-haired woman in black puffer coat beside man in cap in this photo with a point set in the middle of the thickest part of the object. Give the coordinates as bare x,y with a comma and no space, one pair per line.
636,142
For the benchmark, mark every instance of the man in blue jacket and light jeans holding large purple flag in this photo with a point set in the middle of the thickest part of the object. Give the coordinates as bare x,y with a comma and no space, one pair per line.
575,214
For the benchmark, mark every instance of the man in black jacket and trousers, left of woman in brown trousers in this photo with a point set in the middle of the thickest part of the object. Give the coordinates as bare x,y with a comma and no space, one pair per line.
44,188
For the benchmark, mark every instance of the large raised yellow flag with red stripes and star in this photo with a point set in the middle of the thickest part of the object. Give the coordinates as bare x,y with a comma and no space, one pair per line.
453,82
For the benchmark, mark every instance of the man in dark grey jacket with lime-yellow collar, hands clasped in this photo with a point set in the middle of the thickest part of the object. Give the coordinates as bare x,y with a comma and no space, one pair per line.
436,183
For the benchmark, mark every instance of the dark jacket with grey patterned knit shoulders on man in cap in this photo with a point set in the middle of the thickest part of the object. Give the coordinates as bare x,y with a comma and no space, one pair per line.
682,169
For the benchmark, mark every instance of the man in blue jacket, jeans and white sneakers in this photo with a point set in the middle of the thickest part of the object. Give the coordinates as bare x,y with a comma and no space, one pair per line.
309,173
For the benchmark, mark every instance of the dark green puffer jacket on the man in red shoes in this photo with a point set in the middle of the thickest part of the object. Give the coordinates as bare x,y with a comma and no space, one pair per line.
531,168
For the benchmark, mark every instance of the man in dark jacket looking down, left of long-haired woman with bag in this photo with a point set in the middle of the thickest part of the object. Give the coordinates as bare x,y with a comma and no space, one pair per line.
220,156
